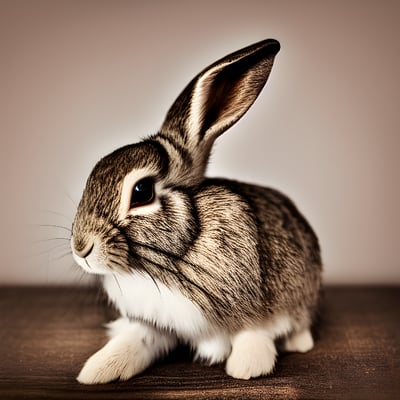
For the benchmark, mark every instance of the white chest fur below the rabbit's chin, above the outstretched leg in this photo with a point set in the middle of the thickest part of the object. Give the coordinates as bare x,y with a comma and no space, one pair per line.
138,296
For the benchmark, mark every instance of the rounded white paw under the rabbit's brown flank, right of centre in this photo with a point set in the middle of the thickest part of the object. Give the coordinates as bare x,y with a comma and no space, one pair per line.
253,354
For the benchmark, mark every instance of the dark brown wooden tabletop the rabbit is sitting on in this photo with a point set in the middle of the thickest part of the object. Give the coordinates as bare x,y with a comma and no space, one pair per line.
46,334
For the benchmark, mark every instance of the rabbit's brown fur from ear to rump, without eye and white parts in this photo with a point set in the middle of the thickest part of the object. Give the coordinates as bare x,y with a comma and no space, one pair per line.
240,252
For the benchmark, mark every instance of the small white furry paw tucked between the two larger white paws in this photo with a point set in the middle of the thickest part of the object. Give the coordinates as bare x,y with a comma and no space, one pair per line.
213,350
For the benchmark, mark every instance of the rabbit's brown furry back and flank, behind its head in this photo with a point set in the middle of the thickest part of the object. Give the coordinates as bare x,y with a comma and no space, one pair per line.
259,253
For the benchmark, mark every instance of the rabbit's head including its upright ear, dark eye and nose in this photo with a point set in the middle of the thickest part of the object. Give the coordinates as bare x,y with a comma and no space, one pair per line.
137,209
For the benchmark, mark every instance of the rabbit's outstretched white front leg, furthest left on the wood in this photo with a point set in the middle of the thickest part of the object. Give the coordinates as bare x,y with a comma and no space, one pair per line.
132,348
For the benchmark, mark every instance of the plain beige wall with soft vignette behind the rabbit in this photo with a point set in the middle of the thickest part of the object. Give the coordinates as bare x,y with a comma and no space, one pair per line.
80,78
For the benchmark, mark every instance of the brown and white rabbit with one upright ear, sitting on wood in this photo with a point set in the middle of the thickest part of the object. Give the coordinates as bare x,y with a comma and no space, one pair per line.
226,267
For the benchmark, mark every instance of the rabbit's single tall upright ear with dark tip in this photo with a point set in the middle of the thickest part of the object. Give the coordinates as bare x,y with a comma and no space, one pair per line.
213,101
